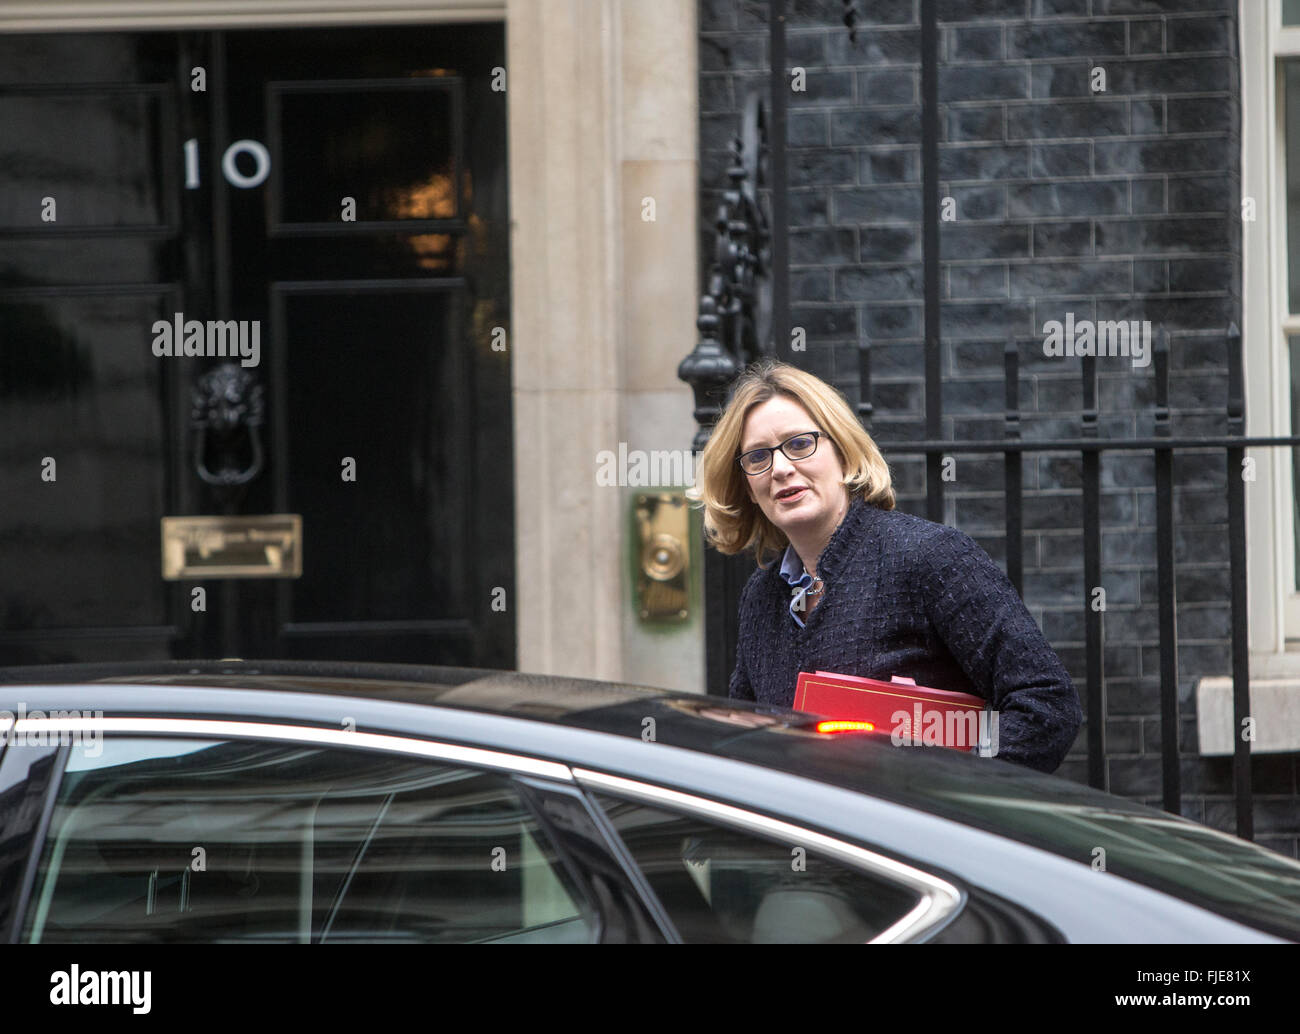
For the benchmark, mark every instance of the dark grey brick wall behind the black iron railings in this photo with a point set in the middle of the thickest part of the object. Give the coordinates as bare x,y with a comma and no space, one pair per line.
1121,205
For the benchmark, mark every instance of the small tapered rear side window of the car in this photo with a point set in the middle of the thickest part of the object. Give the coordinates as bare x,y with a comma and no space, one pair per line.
725,885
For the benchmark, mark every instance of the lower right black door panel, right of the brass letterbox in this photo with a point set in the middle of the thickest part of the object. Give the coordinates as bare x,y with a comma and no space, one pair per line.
415,547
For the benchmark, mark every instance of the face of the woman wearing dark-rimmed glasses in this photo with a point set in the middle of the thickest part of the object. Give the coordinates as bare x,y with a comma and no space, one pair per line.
804,495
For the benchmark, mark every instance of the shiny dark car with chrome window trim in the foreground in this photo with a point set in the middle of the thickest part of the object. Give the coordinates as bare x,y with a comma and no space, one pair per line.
323,803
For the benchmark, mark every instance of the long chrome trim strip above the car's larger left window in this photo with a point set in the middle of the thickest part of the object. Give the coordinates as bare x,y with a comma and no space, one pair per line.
305,734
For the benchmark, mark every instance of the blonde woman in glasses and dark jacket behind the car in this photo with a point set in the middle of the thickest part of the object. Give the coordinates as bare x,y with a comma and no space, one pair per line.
846,583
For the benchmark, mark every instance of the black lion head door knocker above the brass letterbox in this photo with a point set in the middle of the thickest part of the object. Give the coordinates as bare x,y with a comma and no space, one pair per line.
228,412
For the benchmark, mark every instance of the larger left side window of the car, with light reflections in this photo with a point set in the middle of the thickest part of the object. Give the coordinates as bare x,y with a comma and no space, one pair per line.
245,841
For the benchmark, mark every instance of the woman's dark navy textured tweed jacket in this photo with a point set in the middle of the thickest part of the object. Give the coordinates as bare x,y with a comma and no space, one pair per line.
905,596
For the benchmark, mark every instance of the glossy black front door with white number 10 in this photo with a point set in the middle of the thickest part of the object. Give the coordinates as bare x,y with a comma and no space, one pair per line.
336,201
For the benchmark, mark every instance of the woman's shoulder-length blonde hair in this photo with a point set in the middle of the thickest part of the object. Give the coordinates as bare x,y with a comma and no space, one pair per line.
734,522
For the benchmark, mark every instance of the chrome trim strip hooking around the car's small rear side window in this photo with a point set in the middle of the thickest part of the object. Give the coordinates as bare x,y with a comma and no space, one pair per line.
938,898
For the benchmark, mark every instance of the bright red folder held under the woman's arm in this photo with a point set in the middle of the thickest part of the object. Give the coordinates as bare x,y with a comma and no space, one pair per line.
909,713
